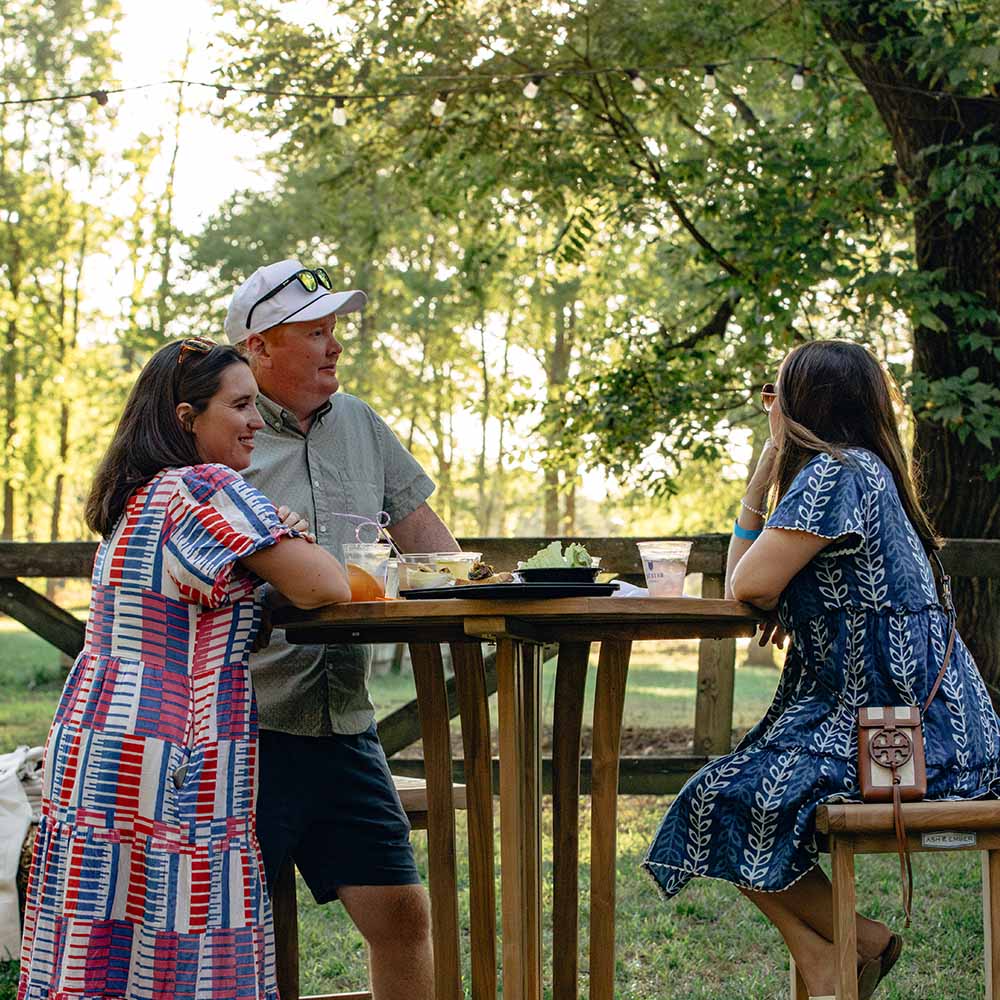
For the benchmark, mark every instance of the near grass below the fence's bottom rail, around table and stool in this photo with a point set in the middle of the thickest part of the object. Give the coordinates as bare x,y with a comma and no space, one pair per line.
709,943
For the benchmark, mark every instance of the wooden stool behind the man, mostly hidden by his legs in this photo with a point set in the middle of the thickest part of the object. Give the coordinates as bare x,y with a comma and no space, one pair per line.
413,796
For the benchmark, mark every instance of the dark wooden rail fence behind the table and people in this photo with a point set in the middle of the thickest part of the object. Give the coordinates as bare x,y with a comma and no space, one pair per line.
716,657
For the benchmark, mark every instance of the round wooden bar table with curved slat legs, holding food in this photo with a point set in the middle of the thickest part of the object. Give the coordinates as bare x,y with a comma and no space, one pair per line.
520,628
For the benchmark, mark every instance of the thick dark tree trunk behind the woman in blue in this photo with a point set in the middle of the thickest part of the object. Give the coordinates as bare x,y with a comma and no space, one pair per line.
926,123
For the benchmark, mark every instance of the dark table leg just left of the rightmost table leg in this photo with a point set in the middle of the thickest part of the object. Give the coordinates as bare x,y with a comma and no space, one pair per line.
567,719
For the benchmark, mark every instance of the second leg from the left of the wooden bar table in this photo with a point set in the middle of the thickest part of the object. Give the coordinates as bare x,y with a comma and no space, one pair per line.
474,708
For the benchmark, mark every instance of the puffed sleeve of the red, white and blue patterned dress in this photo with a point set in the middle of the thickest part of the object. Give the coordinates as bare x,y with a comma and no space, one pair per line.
215,519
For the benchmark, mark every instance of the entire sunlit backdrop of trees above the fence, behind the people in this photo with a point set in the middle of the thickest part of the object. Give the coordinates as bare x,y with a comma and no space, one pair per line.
582,287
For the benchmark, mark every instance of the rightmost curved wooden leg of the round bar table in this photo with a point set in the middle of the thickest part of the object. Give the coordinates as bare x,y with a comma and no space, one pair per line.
609,703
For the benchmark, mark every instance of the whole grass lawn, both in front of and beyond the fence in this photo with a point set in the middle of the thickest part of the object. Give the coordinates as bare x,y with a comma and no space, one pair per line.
707,944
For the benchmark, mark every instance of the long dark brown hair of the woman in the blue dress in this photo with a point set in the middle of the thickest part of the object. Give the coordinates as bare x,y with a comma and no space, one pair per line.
833,395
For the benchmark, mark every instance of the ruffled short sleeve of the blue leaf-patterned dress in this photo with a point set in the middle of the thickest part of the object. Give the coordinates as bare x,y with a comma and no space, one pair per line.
826,499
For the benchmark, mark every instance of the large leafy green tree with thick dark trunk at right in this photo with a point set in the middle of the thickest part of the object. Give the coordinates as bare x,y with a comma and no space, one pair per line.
754,214
